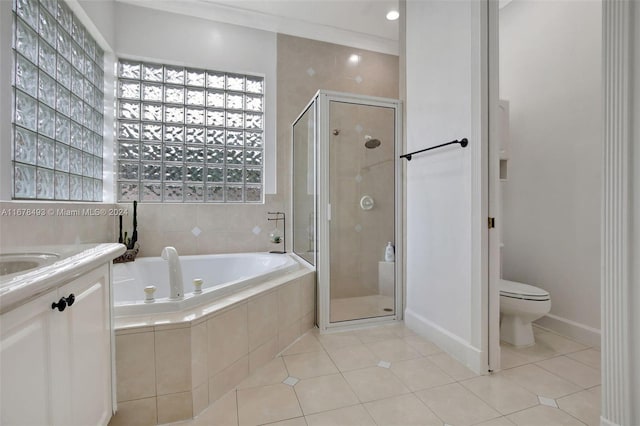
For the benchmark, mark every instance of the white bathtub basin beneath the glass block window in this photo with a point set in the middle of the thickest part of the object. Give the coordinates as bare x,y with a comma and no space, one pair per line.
222,275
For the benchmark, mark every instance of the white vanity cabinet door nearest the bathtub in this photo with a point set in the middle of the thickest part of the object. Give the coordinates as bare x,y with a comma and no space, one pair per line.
88,330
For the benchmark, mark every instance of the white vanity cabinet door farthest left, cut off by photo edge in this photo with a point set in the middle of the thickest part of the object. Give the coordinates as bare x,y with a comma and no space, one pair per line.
26,385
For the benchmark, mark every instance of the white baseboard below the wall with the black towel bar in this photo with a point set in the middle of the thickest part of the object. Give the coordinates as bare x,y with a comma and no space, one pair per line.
457,348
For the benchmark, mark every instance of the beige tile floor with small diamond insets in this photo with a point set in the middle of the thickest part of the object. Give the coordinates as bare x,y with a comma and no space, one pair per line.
389,376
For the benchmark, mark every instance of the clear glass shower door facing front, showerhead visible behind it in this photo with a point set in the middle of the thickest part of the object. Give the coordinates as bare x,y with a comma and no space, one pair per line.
361,194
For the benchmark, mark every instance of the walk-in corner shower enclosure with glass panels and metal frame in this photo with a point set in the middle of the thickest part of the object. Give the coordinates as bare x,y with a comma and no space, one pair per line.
346,205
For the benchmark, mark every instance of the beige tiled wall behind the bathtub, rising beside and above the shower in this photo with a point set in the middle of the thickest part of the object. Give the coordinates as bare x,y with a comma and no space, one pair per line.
304,67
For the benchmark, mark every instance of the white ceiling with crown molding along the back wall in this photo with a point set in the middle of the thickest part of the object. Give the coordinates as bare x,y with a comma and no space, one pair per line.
356,23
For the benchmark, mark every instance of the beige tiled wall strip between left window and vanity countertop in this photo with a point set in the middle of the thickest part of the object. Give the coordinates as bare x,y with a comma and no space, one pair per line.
54,223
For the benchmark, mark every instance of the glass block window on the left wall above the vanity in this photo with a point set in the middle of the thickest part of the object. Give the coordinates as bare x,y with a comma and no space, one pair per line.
58,98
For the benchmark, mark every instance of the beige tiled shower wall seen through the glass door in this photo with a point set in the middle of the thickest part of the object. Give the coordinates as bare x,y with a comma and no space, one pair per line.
358,236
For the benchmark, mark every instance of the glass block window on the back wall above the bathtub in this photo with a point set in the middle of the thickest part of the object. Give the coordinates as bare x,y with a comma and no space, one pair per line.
189,135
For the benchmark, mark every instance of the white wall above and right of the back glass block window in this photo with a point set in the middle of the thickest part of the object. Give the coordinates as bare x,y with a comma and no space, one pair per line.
144,33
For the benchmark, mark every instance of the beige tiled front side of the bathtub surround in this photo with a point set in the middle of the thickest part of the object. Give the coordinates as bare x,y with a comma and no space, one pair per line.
172,372
